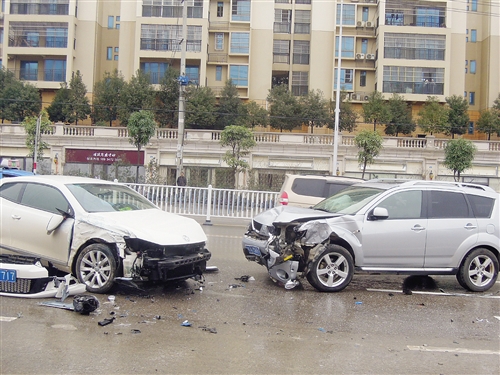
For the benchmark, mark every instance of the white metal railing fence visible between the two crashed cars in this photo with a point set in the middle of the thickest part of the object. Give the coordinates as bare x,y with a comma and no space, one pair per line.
209,201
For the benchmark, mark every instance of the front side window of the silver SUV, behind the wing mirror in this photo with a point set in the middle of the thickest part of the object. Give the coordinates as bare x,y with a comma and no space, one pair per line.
404,205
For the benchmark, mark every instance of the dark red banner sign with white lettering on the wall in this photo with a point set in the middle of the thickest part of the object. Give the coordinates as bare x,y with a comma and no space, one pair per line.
104,156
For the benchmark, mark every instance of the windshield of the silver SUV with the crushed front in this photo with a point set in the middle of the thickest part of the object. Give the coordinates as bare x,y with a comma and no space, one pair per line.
349,201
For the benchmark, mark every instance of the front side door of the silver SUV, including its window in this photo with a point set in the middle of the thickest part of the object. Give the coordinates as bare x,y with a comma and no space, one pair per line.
399,240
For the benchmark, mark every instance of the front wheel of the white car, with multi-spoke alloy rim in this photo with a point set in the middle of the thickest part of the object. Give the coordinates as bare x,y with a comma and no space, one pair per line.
96,268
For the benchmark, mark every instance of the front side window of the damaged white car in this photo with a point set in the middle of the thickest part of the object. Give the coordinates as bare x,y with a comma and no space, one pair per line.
43,197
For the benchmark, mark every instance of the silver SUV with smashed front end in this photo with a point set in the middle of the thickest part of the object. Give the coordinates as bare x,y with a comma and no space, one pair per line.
384,226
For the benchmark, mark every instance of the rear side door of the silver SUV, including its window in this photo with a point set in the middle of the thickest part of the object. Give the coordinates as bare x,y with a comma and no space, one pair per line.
452,227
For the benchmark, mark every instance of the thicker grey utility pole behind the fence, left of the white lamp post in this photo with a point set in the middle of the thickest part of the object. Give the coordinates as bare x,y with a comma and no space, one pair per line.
183,81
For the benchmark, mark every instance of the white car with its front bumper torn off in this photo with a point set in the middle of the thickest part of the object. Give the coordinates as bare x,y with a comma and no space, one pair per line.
98,231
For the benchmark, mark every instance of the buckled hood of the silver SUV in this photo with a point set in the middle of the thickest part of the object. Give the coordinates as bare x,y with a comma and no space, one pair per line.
287,214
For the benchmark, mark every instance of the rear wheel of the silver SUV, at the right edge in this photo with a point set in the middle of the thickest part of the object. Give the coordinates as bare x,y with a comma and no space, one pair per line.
479,270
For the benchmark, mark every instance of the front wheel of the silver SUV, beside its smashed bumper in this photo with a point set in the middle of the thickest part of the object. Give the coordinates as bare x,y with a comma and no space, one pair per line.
331,270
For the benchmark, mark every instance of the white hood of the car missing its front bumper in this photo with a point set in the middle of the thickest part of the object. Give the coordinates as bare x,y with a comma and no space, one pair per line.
152,225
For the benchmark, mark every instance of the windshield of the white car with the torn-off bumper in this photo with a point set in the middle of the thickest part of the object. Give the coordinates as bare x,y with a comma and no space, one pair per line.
108,198
